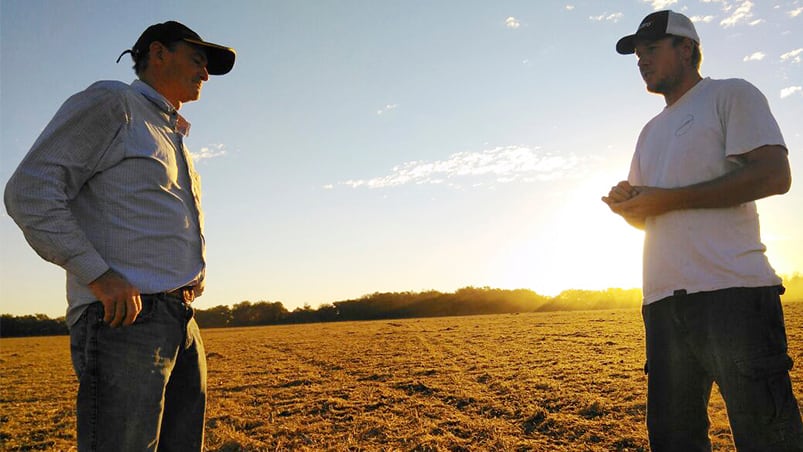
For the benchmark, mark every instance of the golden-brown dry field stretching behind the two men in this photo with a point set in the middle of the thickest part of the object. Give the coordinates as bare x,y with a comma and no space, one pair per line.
544,382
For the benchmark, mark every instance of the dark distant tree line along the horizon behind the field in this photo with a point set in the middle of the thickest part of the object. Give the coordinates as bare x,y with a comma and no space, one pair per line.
393,305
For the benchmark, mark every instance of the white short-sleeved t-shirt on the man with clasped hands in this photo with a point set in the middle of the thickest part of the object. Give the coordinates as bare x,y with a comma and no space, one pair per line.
697,139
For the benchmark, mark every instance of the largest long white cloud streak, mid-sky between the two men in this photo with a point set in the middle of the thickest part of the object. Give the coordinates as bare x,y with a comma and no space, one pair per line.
478,168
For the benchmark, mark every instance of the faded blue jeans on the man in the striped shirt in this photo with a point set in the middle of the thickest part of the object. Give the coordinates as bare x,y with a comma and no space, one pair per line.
141,387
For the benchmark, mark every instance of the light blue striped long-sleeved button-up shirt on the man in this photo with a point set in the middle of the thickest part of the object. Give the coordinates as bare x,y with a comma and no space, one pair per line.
110,184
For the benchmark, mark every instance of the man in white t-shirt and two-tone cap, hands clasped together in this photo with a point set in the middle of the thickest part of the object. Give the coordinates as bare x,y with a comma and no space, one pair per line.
712,309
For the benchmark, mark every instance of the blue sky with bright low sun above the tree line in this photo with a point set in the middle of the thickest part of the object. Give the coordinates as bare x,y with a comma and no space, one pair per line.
382,146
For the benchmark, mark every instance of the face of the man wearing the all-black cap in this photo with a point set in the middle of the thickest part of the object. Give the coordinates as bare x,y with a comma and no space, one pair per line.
184,73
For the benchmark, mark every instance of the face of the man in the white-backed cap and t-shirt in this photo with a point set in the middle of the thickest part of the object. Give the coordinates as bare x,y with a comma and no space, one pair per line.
660,65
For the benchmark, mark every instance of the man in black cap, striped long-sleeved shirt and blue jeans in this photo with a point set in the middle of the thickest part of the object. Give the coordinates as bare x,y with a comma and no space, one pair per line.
109,193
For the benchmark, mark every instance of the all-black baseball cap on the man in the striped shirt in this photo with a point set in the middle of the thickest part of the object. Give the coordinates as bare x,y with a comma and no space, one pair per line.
220,58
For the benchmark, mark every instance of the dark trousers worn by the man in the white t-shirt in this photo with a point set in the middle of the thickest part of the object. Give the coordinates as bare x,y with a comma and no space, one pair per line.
736,339
